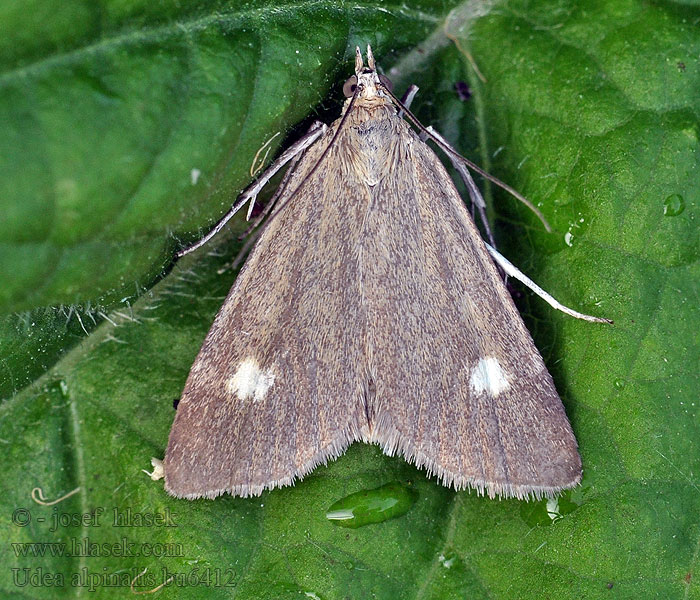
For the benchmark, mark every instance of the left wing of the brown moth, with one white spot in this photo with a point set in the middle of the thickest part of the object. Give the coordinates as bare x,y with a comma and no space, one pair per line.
278,384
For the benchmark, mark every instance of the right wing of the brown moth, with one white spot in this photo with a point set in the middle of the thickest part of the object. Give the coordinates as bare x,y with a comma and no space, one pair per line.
460,387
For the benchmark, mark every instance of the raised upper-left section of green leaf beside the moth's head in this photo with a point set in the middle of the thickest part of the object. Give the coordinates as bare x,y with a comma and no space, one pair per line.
116,144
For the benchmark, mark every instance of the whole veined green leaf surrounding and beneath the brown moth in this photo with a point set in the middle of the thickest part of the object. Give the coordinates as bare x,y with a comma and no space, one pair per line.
591,112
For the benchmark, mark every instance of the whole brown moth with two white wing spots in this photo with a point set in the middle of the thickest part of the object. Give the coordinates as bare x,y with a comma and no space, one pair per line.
370,309
